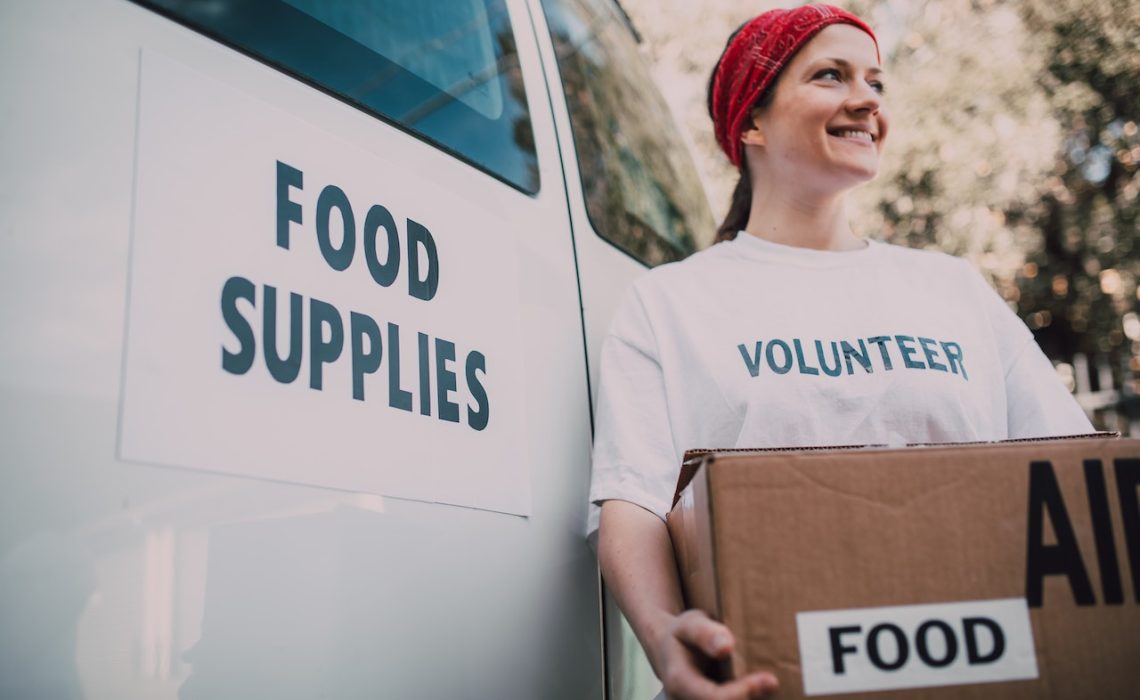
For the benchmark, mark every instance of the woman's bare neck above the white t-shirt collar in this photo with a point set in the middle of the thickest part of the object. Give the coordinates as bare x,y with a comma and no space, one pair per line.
818,223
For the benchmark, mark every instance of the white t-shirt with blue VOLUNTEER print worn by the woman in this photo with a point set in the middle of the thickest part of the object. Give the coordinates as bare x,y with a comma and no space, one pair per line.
751,344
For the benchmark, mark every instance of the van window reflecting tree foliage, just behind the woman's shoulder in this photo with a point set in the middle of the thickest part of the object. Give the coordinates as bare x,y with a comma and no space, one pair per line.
642,191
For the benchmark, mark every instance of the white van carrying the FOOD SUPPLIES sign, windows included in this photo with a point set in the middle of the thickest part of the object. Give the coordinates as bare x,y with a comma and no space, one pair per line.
303,303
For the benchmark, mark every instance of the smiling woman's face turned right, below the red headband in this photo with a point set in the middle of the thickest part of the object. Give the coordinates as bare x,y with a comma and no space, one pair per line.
826,126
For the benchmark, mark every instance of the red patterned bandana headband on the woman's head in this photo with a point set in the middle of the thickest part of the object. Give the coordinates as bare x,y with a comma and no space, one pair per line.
754,59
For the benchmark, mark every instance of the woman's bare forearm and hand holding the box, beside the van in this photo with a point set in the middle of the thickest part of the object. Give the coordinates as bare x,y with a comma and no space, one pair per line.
637,559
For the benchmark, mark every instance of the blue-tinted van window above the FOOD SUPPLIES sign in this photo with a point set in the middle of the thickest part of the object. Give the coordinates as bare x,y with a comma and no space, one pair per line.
446,71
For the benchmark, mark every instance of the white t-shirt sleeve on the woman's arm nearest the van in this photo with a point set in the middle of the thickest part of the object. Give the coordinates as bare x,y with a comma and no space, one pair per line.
634,454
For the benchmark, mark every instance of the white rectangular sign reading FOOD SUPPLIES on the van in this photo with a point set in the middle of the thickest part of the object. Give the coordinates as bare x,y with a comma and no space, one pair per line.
303,311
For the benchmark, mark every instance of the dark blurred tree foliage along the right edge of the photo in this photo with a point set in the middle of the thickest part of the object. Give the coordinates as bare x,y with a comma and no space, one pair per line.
1079,287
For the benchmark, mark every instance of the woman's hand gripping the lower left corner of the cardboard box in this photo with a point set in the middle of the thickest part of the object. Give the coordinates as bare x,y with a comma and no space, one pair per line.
693,642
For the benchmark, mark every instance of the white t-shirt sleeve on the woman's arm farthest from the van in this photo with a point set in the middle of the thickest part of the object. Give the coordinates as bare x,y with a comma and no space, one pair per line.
1038,405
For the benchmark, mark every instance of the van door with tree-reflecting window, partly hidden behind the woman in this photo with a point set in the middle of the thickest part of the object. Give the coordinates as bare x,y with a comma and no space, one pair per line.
636,202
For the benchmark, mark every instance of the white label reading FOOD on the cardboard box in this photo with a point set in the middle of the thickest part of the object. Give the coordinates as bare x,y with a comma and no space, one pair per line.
872,649
